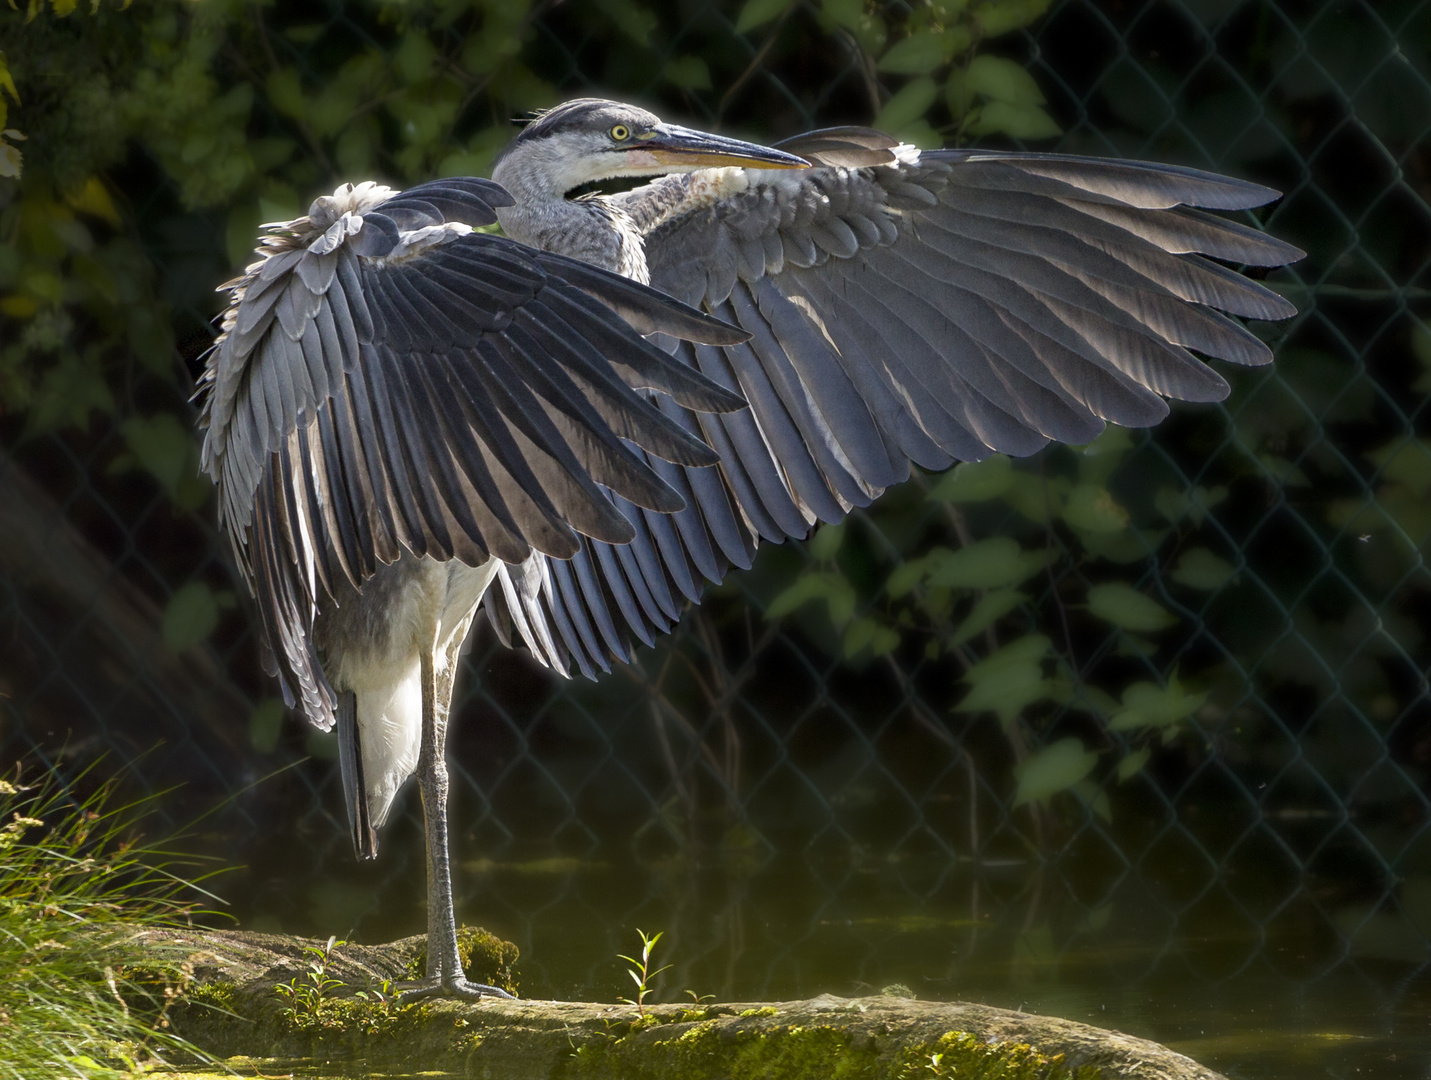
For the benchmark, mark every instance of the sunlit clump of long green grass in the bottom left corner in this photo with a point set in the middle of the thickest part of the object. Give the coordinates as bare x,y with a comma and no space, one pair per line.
75,886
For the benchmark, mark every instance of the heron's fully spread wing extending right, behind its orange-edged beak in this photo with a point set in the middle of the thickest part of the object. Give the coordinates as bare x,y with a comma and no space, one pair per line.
934,310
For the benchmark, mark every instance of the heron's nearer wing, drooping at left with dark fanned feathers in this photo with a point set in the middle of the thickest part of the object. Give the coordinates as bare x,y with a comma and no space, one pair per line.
391,380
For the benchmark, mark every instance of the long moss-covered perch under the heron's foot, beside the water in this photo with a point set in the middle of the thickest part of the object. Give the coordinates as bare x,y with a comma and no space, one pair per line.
233,1009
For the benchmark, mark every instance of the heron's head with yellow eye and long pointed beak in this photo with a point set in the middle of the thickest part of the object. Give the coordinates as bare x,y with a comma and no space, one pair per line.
592,139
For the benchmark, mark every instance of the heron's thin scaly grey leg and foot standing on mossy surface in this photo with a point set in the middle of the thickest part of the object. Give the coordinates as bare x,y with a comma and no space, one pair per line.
446,975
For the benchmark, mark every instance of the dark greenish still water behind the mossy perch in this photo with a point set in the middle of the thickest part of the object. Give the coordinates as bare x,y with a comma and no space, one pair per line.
1280,998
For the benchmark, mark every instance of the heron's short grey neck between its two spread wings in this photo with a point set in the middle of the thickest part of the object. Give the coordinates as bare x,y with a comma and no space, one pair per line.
595,231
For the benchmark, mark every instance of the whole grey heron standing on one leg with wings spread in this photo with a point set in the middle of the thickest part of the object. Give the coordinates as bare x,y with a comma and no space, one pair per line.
409,418
